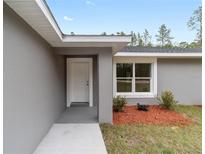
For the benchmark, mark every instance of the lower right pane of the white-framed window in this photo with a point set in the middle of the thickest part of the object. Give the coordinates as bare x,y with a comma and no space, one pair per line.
142,85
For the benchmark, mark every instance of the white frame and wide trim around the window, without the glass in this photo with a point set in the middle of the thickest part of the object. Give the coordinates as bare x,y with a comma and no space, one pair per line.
153,80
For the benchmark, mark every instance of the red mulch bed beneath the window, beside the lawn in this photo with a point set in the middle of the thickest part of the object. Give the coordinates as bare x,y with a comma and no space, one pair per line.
155,115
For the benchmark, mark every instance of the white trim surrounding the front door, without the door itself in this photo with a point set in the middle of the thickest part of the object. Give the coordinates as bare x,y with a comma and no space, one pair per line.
68,78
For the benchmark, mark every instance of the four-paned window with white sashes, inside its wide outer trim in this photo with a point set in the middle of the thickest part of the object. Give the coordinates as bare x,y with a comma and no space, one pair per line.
135,78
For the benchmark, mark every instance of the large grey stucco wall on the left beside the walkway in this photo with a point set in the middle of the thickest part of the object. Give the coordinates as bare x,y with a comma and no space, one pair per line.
34,88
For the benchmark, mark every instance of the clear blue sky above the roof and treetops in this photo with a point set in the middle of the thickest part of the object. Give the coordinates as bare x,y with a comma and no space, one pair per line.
111,16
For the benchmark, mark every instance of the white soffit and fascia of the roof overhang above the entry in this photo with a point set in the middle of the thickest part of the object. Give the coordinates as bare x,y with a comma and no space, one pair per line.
38,15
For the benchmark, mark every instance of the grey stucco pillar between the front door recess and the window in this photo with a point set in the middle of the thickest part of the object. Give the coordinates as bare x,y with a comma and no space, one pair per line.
105,86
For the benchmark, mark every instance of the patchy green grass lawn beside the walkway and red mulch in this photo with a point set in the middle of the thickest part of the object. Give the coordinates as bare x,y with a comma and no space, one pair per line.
155,139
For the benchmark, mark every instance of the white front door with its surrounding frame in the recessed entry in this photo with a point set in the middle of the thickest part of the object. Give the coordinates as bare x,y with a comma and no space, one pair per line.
79,80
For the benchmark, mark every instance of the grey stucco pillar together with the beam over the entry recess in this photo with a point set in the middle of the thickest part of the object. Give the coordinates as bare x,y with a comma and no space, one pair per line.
103,72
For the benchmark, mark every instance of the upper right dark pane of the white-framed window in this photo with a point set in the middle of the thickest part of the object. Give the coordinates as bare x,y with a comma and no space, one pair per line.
142,70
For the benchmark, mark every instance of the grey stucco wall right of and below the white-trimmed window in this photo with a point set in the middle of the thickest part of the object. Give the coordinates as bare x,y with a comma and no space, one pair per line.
182,76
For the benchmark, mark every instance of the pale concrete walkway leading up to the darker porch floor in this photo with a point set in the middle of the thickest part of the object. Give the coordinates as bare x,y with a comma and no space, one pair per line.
73,139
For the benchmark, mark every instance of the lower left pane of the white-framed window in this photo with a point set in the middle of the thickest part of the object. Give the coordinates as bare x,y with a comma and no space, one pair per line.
124,85
